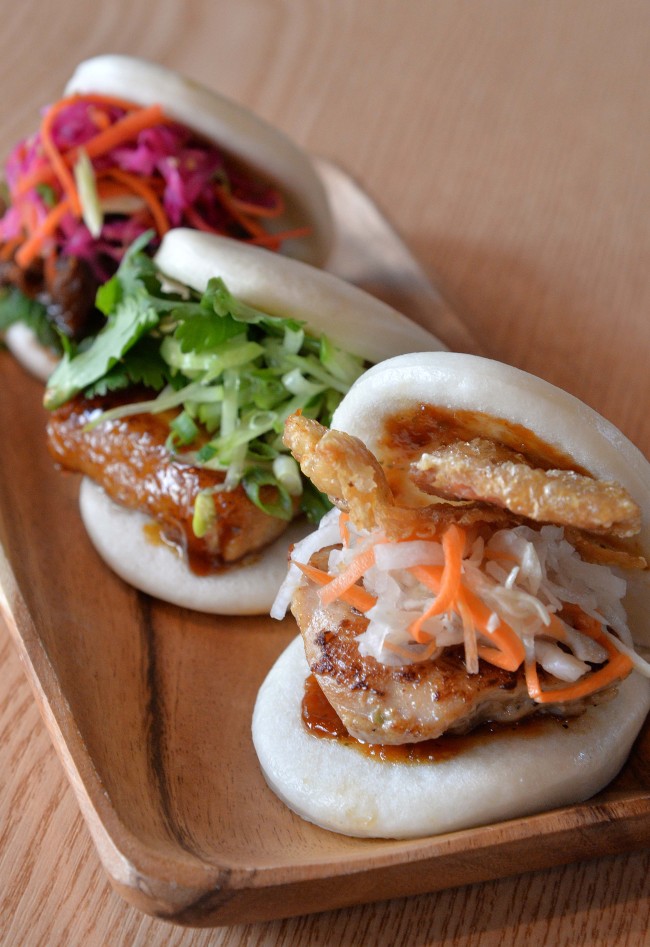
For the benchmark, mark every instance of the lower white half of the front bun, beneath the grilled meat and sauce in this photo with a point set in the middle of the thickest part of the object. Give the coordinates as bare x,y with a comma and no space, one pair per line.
496,778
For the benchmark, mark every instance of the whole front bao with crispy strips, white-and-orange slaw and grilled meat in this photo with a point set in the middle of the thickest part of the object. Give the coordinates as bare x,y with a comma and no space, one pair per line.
473,611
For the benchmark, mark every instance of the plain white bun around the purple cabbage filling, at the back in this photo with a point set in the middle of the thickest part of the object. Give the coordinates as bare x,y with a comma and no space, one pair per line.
258,147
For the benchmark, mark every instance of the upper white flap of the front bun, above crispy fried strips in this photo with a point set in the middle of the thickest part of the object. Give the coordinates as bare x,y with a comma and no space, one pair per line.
468,382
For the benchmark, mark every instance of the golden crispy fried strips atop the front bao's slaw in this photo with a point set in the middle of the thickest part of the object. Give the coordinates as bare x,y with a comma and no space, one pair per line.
342,467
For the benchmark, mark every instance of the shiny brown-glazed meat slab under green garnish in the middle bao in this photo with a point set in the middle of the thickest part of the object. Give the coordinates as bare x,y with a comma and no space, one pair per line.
128,458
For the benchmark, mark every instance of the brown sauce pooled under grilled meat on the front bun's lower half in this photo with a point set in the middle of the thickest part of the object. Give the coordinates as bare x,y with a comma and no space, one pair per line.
321,720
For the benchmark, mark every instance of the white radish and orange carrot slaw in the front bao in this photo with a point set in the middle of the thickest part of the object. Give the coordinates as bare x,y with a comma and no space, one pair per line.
520,597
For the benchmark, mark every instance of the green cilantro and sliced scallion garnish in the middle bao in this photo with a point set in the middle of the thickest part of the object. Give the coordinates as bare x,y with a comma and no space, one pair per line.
231,373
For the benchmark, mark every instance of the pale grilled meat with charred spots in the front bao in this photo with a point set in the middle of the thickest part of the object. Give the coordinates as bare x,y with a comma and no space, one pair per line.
393,705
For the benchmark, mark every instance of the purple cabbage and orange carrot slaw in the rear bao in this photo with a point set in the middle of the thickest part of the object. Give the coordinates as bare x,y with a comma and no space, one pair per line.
101,170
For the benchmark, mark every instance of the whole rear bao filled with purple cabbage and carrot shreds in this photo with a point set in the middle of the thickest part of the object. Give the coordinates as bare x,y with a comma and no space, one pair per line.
132,147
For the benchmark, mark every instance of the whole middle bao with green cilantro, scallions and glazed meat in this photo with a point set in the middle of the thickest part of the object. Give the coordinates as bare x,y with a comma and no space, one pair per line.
176,411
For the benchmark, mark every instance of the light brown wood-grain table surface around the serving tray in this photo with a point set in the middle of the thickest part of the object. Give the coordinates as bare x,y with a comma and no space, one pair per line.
508,142
